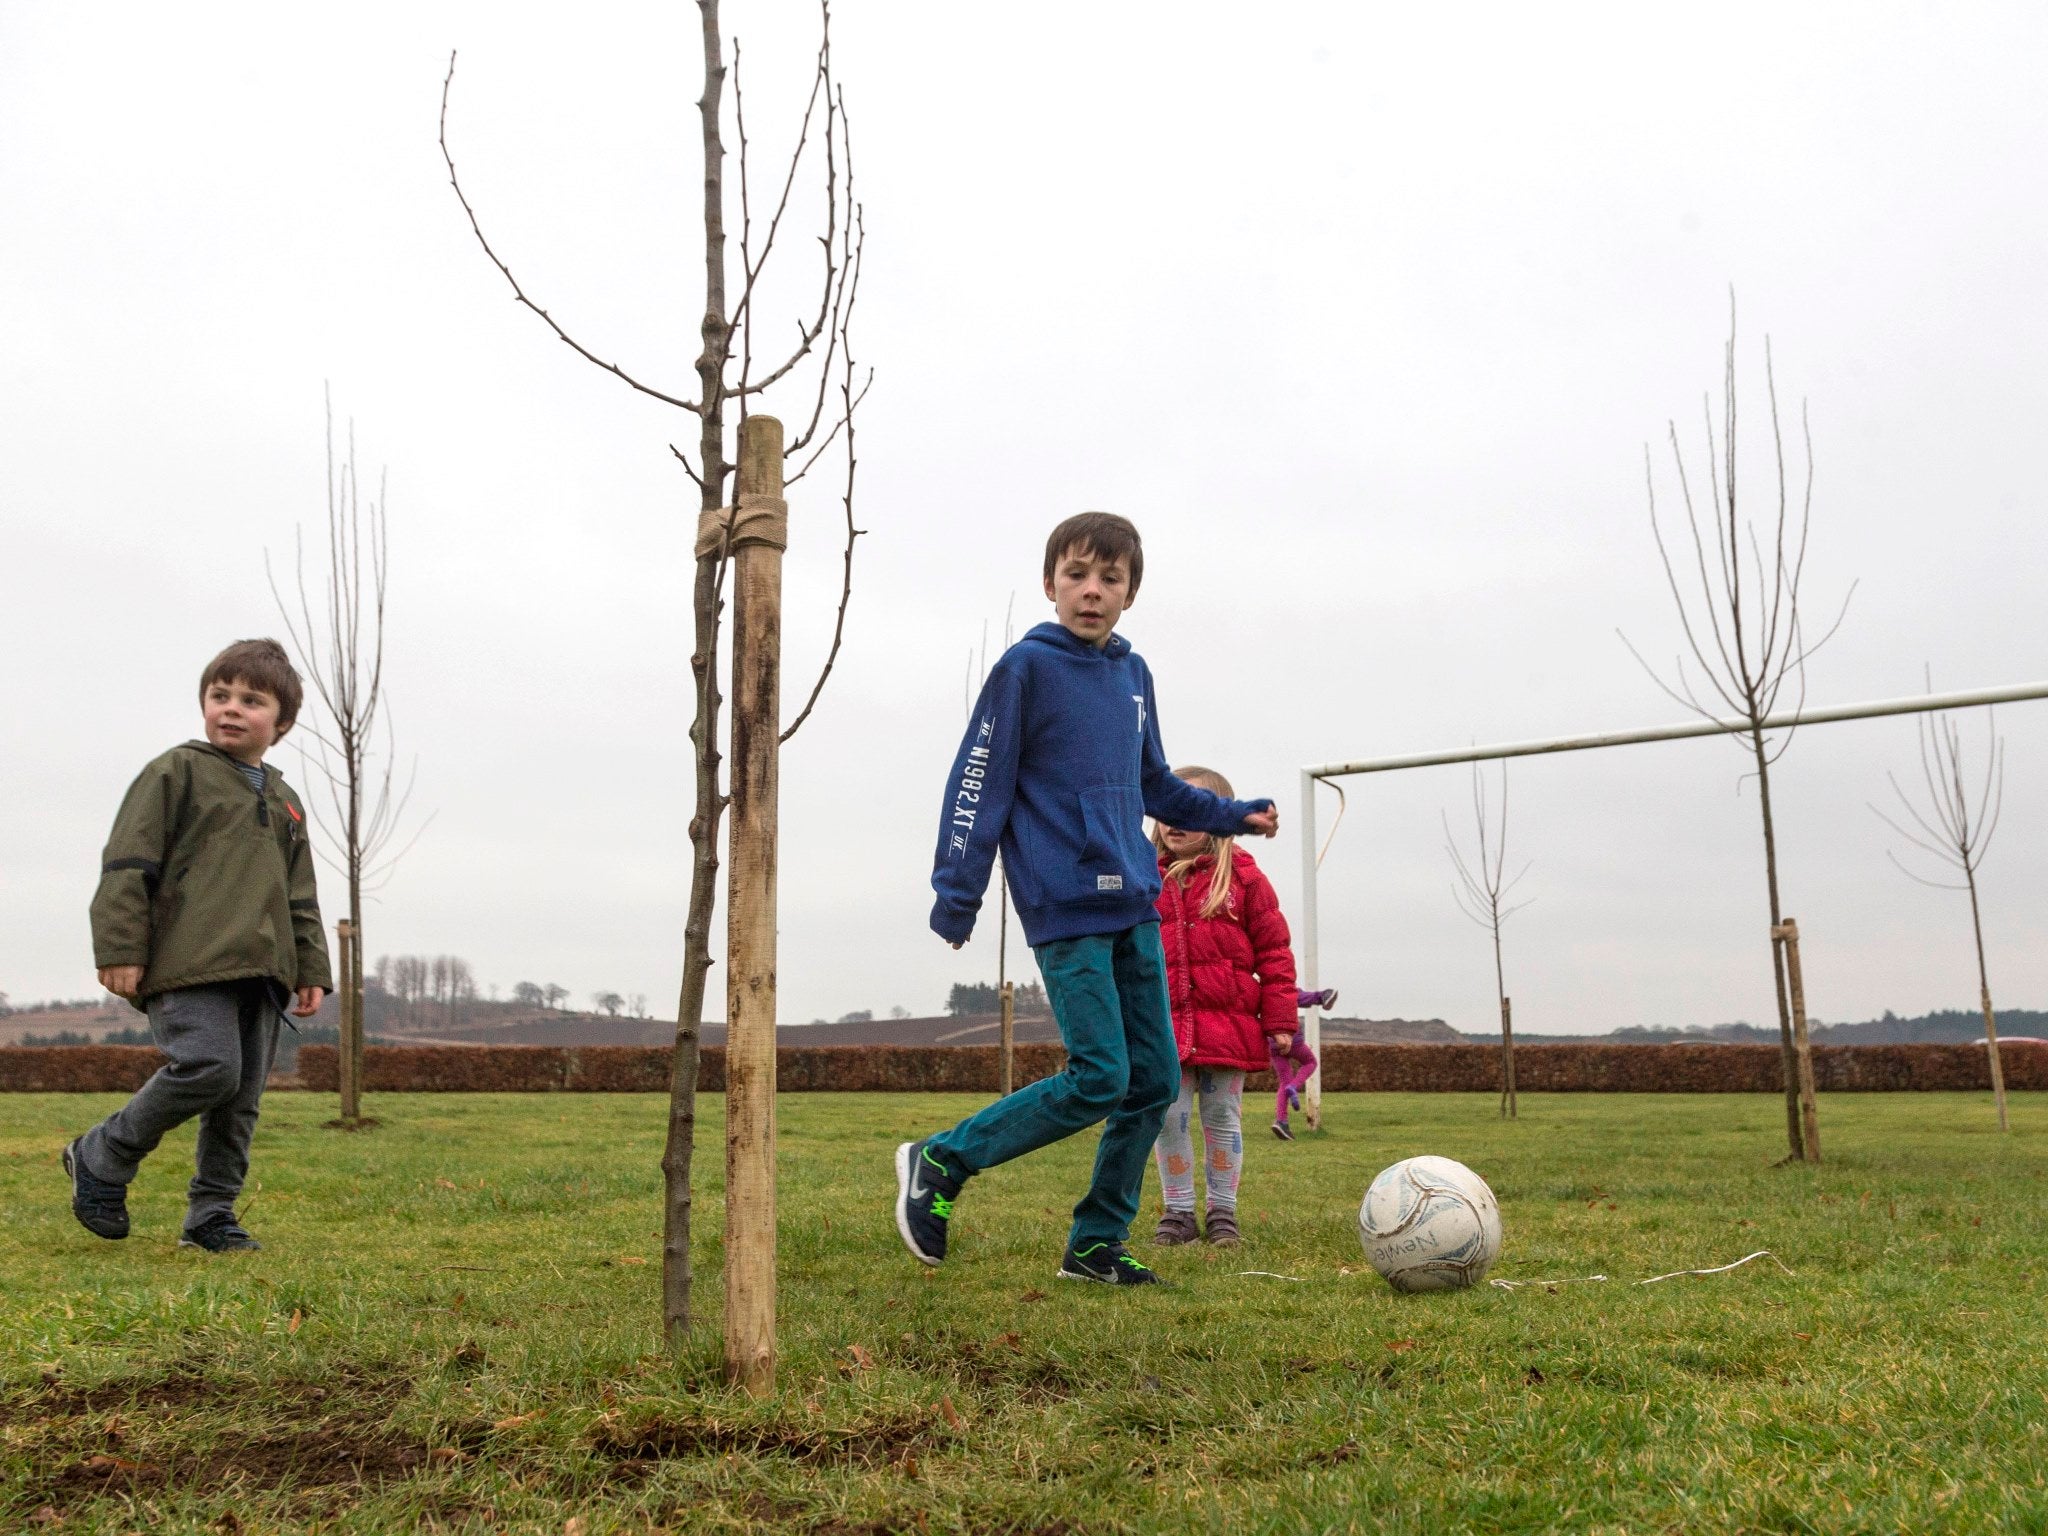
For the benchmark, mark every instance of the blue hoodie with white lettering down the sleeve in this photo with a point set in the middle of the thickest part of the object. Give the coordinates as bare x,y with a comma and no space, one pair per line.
1060,769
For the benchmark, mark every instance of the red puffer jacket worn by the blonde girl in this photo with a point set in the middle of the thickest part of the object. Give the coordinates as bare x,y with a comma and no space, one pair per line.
1232,976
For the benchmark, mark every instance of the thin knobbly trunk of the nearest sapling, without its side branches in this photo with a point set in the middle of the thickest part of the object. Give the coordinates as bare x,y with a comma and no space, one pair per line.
706,728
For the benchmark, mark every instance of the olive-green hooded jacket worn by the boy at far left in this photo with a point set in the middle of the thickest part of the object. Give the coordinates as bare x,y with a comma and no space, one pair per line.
206,880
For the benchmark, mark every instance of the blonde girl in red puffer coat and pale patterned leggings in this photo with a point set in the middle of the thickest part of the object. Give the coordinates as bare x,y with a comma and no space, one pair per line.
1232,984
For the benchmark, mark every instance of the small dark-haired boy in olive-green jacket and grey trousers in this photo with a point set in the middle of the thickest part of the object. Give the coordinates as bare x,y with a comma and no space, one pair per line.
206,916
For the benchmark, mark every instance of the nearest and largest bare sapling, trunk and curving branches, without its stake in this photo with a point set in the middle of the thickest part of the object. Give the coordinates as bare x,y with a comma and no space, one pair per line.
736,366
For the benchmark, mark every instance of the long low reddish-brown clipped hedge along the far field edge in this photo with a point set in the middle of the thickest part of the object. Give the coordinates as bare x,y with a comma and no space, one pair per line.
974,1068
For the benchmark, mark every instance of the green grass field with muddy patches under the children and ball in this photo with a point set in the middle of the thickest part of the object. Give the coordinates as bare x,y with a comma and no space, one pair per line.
454,1326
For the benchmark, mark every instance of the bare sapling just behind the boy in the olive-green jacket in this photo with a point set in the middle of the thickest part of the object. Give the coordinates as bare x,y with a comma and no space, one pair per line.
341,652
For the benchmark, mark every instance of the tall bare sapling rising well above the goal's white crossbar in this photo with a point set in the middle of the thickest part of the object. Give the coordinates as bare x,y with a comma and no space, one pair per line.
1748,638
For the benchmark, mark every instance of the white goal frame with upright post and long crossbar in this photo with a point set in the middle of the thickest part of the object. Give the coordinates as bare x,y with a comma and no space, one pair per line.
1312,777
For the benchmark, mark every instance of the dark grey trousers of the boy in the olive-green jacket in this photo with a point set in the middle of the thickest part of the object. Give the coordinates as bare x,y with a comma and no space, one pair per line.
220,1043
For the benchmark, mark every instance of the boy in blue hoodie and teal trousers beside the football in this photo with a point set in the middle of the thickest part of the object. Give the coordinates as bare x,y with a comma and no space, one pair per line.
1060,769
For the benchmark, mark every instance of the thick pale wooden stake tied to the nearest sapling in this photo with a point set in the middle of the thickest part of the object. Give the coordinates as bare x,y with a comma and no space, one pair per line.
751,978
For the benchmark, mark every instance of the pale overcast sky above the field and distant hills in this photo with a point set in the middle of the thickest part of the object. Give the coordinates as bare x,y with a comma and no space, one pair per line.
1365,314
